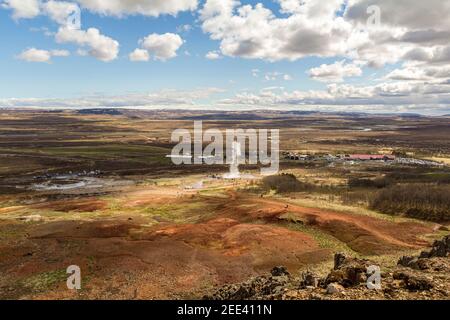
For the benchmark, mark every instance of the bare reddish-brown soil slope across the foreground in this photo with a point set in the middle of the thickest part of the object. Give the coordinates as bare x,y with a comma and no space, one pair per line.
123,259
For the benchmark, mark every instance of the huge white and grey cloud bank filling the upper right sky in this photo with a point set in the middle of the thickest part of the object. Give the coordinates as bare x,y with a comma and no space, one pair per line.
314,28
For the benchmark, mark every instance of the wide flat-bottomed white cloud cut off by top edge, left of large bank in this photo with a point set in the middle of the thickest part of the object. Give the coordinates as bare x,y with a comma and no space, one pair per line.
142,7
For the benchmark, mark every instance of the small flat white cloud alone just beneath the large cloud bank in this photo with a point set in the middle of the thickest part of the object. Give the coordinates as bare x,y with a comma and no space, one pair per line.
335,72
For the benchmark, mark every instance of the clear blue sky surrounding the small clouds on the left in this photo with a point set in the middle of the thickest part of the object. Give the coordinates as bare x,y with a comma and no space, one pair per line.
77,75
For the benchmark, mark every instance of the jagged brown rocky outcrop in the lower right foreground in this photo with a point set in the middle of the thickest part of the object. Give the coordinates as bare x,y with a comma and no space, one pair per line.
423,277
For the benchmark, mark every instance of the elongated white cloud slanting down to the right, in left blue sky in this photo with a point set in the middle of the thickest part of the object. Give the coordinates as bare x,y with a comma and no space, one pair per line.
99,46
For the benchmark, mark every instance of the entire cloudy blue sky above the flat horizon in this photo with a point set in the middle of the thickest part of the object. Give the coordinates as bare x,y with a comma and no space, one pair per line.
336,55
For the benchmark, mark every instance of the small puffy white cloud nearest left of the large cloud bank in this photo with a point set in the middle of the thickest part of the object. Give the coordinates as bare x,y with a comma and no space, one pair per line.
160,46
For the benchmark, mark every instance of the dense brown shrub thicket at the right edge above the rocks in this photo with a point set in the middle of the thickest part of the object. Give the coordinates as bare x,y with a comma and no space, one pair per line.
423,201
